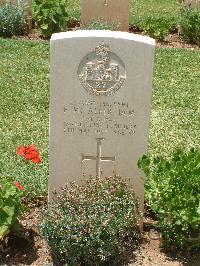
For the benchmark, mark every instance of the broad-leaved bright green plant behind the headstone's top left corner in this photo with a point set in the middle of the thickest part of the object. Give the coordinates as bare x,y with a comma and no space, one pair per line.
51,15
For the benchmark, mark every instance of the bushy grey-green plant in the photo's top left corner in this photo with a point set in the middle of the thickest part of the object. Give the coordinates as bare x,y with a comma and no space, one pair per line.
12,20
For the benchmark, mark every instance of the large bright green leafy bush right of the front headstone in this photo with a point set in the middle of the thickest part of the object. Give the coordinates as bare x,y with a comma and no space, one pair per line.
173,193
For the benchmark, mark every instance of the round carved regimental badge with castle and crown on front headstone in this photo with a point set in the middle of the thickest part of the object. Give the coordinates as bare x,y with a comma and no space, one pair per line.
102,72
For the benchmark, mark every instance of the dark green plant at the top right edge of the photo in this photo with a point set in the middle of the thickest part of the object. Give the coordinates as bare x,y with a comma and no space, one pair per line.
190,25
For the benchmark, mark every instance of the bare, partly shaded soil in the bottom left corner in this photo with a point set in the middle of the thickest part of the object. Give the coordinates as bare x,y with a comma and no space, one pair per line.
31,250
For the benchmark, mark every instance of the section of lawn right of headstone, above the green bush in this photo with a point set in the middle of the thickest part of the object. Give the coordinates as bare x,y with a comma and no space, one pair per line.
175,119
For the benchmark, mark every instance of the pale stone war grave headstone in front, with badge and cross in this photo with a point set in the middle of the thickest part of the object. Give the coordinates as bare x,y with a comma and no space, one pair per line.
99,106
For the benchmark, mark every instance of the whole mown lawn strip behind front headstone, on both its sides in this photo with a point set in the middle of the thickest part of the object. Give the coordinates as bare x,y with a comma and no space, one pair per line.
24,94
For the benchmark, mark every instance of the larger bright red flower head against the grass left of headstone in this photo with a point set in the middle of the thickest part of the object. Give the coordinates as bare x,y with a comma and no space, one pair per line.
30,153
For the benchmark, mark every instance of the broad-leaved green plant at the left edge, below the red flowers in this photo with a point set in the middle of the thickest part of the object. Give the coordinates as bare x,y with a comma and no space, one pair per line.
11,207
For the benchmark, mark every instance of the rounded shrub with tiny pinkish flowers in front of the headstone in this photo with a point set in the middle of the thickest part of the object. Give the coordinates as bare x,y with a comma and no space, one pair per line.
92,224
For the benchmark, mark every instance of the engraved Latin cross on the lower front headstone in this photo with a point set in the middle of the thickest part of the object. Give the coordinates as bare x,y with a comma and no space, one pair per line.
99,158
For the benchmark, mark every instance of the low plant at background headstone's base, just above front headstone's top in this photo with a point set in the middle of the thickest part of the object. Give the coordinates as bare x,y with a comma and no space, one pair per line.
99,24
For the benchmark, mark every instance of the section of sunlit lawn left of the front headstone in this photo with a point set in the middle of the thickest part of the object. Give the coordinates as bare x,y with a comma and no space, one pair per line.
24,94
